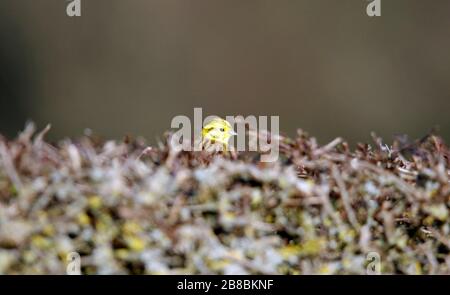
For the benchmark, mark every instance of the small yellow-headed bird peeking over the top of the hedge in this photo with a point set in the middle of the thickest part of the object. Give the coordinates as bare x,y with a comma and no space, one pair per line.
216,134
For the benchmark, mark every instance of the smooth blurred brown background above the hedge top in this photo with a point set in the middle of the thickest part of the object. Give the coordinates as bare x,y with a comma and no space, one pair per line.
128,67
